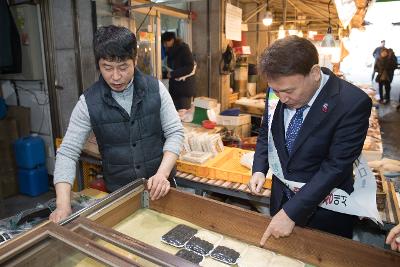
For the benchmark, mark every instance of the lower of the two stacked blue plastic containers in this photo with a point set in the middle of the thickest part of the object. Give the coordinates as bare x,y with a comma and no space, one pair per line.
33,182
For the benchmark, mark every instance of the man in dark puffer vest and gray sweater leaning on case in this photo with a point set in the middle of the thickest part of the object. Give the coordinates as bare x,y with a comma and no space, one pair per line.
132,115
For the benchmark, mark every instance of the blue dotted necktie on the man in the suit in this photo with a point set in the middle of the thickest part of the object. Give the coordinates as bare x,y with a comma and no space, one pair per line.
291,134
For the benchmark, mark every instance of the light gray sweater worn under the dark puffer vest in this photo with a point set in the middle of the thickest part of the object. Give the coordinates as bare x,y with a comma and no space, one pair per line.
79,129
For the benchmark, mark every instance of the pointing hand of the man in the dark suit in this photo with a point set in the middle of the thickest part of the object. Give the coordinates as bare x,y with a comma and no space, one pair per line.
280,226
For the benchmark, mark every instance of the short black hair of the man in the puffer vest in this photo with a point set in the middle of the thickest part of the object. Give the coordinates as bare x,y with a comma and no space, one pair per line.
114,43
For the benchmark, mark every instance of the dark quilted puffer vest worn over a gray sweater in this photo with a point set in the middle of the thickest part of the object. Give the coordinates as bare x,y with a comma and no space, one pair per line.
131,146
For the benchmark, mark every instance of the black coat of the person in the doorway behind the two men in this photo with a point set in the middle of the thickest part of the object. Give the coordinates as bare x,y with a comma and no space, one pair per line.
180,60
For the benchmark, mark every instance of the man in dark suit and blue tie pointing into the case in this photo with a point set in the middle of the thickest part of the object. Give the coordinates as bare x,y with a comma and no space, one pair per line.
318,128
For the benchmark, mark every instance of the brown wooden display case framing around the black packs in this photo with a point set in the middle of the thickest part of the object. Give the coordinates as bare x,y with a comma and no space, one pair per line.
90,234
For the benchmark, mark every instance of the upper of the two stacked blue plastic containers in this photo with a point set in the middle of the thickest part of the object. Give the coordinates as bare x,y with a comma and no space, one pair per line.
29,152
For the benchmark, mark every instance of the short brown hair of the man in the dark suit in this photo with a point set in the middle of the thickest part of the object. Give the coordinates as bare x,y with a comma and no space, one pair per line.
288,56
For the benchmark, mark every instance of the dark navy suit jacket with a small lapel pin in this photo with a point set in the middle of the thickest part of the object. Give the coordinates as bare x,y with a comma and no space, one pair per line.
324,151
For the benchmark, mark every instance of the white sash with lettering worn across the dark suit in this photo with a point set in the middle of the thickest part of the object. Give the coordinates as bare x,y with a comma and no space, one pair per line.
361,202
